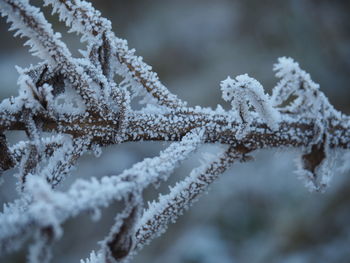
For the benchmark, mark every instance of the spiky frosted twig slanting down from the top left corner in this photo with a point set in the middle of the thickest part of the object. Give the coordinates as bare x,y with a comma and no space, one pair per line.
31,23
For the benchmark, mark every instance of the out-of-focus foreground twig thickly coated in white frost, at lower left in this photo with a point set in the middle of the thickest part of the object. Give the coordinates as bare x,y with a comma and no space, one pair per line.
87,195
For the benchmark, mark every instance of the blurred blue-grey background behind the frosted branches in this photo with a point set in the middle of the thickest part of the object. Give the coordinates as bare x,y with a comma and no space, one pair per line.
258,211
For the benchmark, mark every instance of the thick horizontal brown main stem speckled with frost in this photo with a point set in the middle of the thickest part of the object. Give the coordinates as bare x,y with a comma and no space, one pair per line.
221,128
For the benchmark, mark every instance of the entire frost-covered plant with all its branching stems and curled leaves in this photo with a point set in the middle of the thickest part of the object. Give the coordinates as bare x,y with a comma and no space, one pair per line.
81,105
